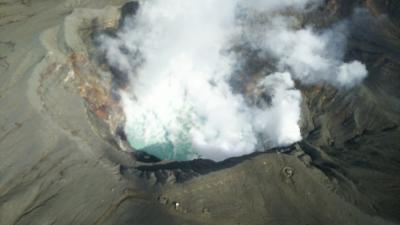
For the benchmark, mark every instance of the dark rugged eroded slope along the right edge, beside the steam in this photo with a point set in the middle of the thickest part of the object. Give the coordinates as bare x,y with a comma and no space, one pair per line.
358,129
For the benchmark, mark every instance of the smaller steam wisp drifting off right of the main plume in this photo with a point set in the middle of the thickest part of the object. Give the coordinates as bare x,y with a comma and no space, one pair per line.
313,57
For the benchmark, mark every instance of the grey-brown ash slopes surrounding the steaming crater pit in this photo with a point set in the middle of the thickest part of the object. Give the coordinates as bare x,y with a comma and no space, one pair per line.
57,168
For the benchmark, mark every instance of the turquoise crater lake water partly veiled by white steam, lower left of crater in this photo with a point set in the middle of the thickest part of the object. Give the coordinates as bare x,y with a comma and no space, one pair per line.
166,138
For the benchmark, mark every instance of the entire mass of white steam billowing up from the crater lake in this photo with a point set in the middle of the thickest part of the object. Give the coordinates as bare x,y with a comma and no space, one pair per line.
179,59
